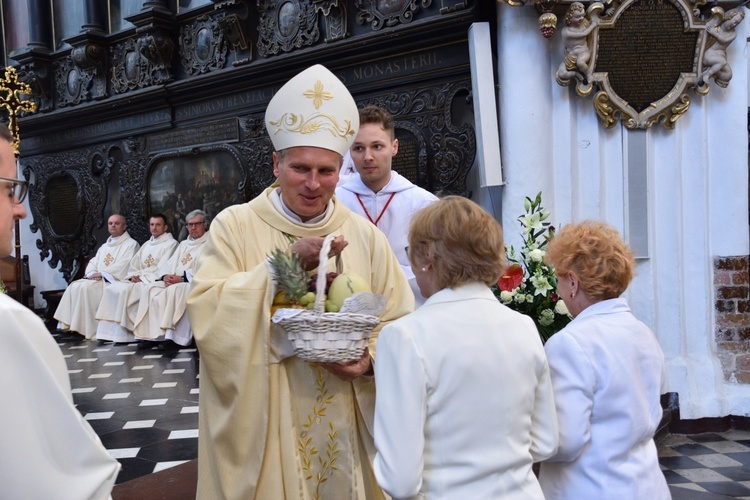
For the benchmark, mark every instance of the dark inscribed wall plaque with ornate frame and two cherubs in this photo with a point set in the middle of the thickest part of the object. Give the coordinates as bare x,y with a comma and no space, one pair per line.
644,55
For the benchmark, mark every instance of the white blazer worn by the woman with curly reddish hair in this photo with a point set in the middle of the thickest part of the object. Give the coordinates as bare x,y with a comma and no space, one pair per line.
607,371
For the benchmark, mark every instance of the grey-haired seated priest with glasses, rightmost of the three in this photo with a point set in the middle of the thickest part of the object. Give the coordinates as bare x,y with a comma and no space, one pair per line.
161,307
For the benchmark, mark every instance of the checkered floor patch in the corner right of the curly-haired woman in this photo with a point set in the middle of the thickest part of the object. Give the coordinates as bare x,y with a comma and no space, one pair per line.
717,463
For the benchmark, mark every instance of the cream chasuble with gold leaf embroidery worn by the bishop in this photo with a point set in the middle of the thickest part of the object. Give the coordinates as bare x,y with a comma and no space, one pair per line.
274,426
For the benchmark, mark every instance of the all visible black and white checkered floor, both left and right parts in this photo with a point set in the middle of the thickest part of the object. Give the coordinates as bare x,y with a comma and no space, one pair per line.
143,403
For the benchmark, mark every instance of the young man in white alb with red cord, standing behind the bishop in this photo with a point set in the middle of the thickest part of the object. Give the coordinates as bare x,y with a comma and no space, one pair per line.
379,193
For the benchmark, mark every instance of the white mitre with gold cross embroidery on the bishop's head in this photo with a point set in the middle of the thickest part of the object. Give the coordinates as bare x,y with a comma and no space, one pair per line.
313,109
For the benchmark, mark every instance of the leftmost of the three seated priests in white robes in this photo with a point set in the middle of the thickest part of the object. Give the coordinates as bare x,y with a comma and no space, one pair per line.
78,305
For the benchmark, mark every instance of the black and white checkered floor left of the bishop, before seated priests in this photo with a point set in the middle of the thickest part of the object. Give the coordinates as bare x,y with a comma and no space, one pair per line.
143,403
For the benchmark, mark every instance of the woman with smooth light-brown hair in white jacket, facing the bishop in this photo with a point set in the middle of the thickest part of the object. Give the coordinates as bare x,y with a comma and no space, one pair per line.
464,401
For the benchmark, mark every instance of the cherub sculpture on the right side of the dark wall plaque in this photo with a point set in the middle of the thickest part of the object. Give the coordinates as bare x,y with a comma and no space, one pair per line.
721,31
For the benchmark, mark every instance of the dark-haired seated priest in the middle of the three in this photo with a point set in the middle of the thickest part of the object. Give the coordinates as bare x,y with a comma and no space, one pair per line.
120,300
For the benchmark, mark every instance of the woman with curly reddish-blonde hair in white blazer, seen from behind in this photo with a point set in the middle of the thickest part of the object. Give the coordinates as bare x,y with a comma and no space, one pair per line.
607,372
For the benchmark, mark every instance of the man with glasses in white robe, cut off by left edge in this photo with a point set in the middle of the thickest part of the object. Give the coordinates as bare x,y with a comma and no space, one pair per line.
48,449
